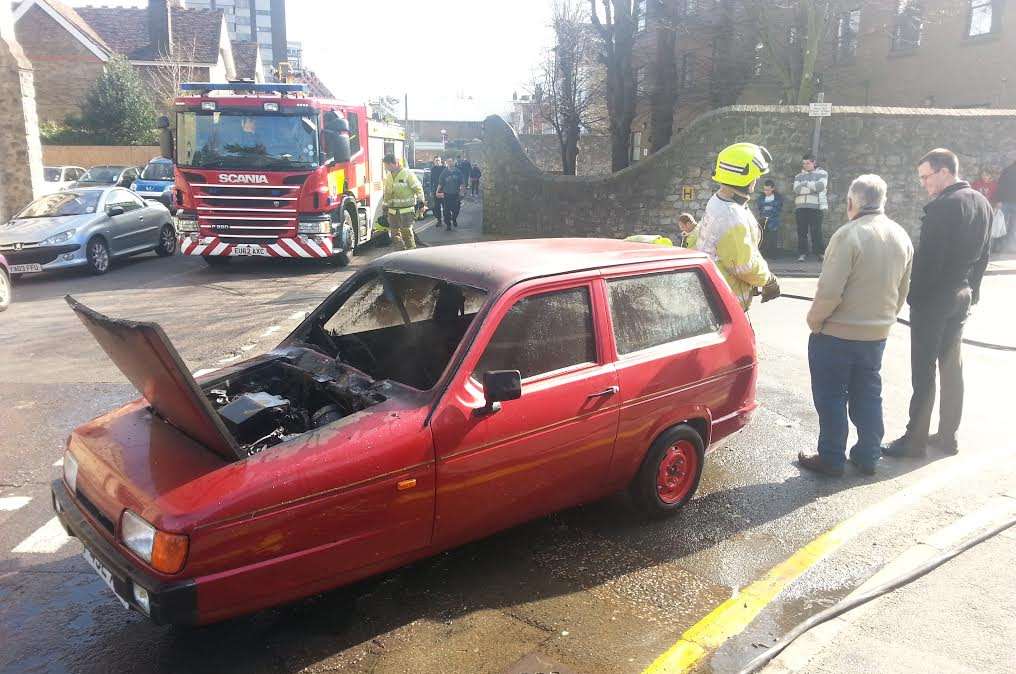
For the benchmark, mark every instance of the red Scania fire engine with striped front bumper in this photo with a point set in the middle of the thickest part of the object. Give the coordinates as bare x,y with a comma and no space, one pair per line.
263,169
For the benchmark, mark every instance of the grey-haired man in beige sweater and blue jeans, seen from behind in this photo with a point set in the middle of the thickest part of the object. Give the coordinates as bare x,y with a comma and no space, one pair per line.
863,287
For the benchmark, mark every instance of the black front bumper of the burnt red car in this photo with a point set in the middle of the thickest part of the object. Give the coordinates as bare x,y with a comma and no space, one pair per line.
170,603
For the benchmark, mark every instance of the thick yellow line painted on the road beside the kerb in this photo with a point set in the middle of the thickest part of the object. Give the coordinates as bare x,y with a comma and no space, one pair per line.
731,618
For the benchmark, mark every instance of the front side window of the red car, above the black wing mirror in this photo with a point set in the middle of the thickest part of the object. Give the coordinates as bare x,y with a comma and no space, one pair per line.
543,334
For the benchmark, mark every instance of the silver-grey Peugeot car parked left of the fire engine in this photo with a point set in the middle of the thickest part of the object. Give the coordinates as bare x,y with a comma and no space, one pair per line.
86,228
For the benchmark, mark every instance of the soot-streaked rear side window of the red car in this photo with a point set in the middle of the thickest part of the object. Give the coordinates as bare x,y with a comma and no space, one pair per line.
656,310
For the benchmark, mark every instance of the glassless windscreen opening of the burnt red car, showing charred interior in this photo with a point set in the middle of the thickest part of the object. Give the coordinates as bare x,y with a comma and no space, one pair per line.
399,327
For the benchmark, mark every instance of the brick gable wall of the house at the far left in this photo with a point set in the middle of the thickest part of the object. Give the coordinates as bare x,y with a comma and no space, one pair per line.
65,70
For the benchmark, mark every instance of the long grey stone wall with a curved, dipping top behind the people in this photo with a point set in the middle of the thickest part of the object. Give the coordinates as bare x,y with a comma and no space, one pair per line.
647,198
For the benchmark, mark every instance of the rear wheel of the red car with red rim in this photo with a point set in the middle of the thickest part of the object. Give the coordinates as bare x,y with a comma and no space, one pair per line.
670,473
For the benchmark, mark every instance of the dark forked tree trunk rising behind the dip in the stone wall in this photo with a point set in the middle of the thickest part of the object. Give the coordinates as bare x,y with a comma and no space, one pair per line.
616,22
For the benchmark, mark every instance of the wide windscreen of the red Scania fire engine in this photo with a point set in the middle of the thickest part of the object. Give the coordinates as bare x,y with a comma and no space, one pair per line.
216,140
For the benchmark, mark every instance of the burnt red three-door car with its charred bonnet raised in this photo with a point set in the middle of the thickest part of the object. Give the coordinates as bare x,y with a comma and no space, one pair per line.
437,397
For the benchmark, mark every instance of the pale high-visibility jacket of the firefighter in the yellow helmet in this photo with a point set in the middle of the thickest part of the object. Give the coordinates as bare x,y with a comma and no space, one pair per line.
730,234
